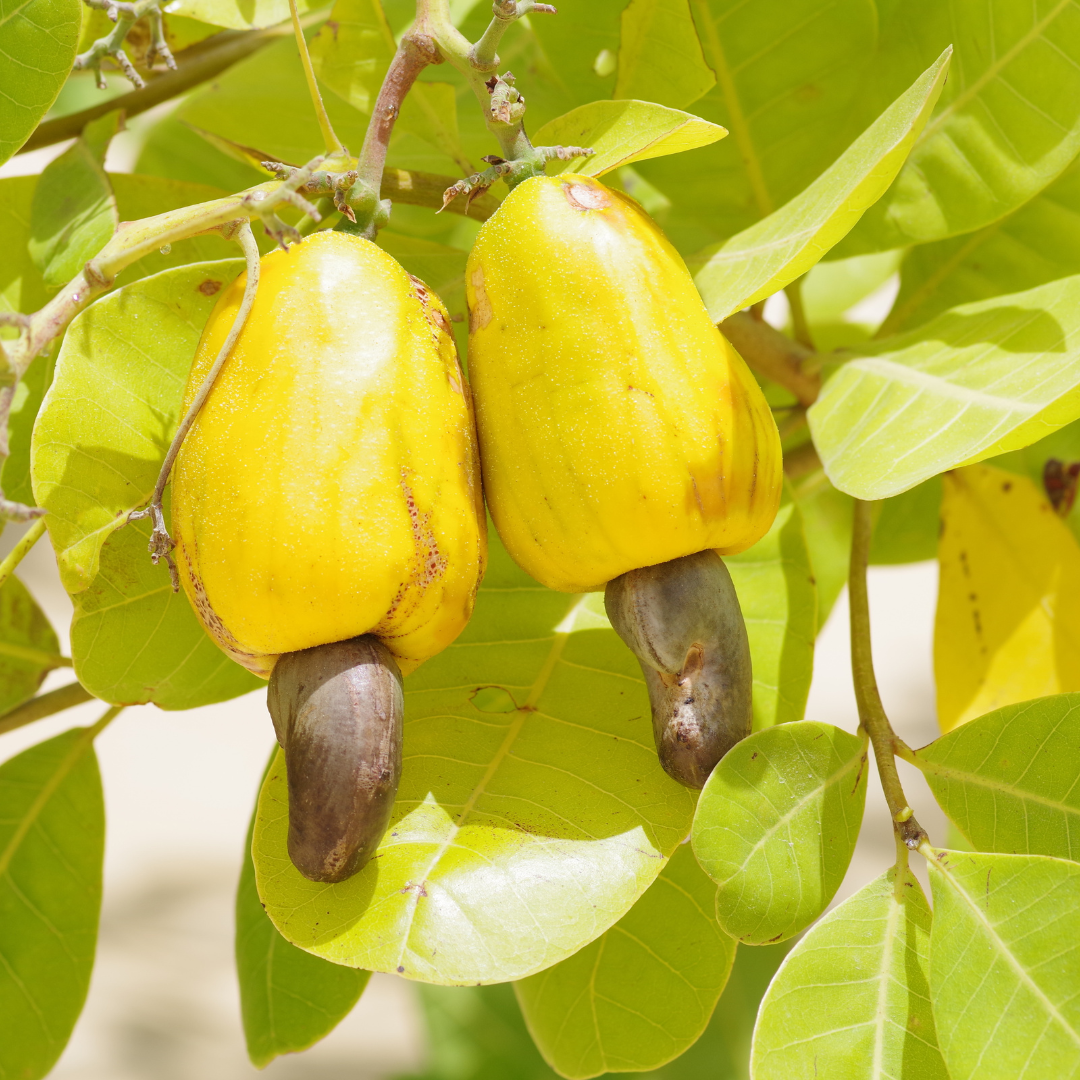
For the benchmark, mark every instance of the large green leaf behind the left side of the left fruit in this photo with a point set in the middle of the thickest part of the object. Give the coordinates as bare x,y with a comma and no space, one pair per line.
98,448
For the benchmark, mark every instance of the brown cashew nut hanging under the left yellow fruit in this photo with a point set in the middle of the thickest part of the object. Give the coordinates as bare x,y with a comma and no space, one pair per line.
339,711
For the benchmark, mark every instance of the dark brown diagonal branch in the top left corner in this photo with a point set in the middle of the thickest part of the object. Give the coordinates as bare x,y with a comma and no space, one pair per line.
195,66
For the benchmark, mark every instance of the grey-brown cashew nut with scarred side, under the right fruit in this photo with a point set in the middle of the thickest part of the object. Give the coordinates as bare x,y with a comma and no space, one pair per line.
683,622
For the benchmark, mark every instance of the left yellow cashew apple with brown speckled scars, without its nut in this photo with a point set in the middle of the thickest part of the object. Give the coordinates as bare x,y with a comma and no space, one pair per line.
330,487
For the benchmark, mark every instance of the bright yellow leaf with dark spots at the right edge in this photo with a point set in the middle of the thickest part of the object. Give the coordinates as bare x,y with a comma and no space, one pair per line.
1008,625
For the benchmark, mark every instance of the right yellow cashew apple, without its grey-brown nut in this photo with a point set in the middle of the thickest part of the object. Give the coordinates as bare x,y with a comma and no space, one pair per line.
618,428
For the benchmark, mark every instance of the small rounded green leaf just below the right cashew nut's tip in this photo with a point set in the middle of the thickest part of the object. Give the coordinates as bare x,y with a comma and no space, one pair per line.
777,825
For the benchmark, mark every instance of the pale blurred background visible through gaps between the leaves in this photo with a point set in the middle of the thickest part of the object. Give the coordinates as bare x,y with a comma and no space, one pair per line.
180,790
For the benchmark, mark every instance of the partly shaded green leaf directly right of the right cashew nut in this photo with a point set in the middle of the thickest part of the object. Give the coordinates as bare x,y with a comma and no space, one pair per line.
779,602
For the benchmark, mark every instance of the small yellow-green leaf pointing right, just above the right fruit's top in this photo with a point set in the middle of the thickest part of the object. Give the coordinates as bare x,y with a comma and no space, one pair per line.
622,132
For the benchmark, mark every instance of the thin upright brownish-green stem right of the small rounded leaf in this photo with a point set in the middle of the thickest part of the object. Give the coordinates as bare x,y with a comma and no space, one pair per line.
872,715
